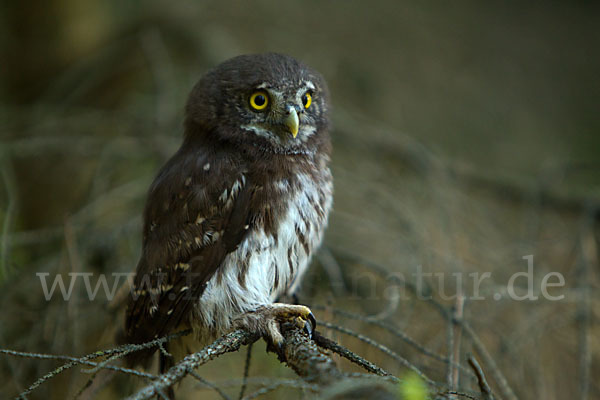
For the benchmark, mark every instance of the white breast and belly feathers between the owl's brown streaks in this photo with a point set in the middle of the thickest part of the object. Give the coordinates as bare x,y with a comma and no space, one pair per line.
221,302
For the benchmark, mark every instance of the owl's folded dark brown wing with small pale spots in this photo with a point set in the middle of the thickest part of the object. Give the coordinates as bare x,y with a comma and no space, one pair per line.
198,211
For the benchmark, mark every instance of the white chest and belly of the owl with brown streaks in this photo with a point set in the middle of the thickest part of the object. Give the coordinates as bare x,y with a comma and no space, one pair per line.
275,253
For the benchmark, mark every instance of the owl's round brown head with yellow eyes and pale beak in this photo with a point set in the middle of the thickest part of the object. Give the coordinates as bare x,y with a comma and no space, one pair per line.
271,101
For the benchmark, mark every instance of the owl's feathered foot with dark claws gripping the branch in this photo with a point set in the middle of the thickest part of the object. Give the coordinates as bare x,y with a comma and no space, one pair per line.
267,320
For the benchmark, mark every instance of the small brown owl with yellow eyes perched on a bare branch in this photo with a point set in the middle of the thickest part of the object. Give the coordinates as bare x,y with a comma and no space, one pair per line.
232,219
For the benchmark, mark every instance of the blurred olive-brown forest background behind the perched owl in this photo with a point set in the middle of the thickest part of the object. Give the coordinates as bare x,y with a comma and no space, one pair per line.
466,137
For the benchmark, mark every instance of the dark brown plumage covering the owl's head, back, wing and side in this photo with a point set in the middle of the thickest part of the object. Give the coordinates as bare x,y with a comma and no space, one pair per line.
220,187
